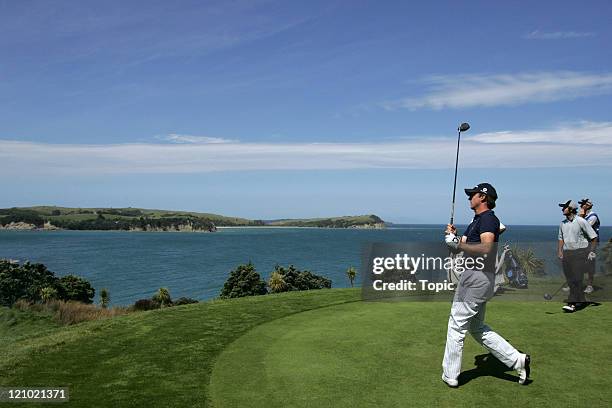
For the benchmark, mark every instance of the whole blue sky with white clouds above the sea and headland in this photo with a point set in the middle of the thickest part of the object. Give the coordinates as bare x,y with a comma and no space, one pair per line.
302,109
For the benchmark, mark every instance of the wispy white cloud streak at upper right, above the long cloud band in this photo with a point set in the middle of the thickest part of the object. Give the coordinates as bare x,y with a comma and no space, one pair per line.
466,91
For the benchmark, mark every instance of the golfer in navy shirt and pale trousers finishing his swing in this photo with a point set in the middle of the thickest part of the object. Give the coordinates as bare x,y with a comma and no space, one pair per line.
475,288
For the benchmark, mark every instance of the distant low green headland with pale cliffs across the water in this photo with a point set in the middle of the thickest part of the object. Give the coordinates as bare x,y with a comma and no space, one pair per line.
140,219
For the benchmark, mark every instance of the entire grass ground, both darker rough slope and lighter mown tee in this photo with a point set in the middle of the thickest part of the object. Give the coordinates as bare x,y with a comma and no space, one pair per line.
319,348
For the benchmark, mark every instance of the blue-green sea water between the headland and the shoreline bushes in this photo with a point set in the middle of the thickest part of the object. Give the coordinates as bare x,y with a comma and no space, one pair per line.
133,265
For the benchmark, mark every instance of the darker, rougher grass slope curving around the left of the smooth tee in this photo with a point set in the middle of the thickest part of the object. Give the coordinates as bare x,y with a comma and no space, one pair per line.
162,357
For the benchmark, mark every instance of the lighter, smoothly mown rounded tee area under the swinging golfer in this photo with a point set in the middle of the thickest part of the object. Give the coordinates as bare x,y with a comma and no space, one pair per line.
389,354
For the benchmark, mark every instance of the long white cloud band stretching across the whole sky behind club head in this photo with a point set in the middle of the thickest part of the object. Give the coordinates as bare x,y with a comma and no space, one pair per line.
582,144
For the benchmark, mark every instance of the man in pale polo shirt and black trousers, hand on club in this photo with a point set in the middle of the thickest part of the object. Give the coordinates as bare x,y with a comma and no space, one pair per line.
575,253
